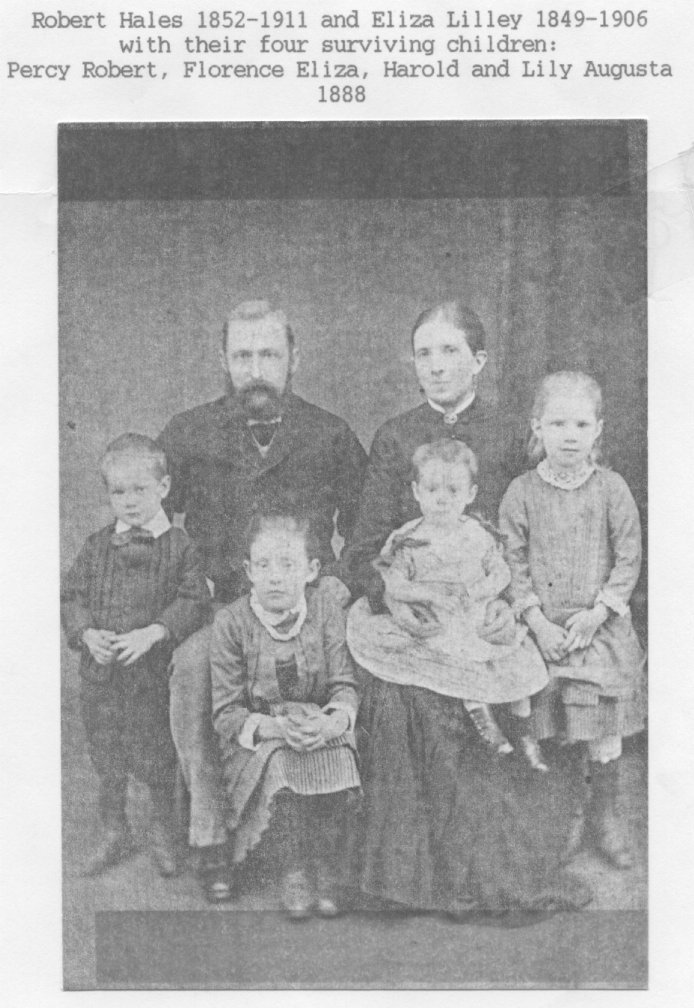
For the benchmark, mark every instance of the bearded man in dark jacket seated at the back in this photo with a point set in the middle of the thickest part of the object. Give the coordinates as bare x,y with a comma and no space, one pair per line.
258,442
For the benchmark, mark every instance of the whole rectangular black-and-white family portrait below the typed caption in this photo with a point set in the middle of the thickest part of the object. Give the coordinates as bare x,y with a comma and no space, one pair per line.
354,555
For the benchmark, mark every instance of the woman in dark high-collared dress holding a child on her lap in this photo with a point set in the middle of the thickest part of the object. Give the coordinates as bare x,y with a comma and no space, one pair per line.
449,825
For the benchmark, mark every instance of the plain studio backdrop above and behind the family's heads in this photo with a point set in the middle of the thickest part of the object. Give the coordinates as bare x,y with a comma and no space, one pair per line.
354,229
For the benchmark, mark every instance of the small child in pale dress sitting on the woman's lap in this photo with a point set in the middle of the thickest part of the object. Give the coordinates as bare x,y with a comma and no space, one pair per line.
458,556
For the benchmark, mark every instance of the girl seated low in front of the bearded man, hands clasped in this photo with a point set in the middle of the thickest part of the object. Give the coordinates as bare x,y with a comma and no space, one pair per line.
285,703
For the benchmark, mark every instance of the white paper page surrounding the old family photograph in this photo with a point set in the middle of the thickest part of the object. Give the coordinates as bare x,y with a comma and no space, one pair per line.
30,740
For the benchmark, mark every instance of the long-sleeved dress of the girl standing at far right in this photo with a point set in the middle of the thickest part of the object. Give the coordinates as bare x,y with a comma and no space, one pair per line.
569,549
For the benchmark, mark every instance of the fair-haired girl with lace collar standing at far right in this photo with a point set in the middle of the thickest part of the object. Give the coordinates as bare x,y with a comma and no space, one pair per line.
573,541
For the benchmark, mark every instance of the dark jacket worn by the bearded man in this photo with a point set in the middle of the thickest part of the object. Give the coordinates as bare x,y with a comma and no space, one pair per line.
218,475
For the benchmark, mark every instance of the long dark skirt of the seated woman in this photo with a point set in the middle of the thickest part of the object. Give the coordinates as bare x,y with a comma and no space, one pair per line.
450,827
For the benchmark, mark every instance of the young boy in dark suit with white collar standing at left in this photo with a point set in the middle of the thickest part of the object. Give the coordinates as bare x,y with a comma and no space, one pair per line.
135,593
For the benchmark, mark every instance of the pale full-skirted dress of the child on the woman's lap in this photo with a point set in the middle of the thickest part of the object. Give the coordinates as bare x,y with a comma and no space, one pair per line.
456,662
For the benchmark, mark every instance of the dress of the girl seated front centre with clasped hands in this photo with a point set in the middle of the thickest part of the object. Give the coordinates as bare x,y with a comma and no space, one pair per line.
257,672
